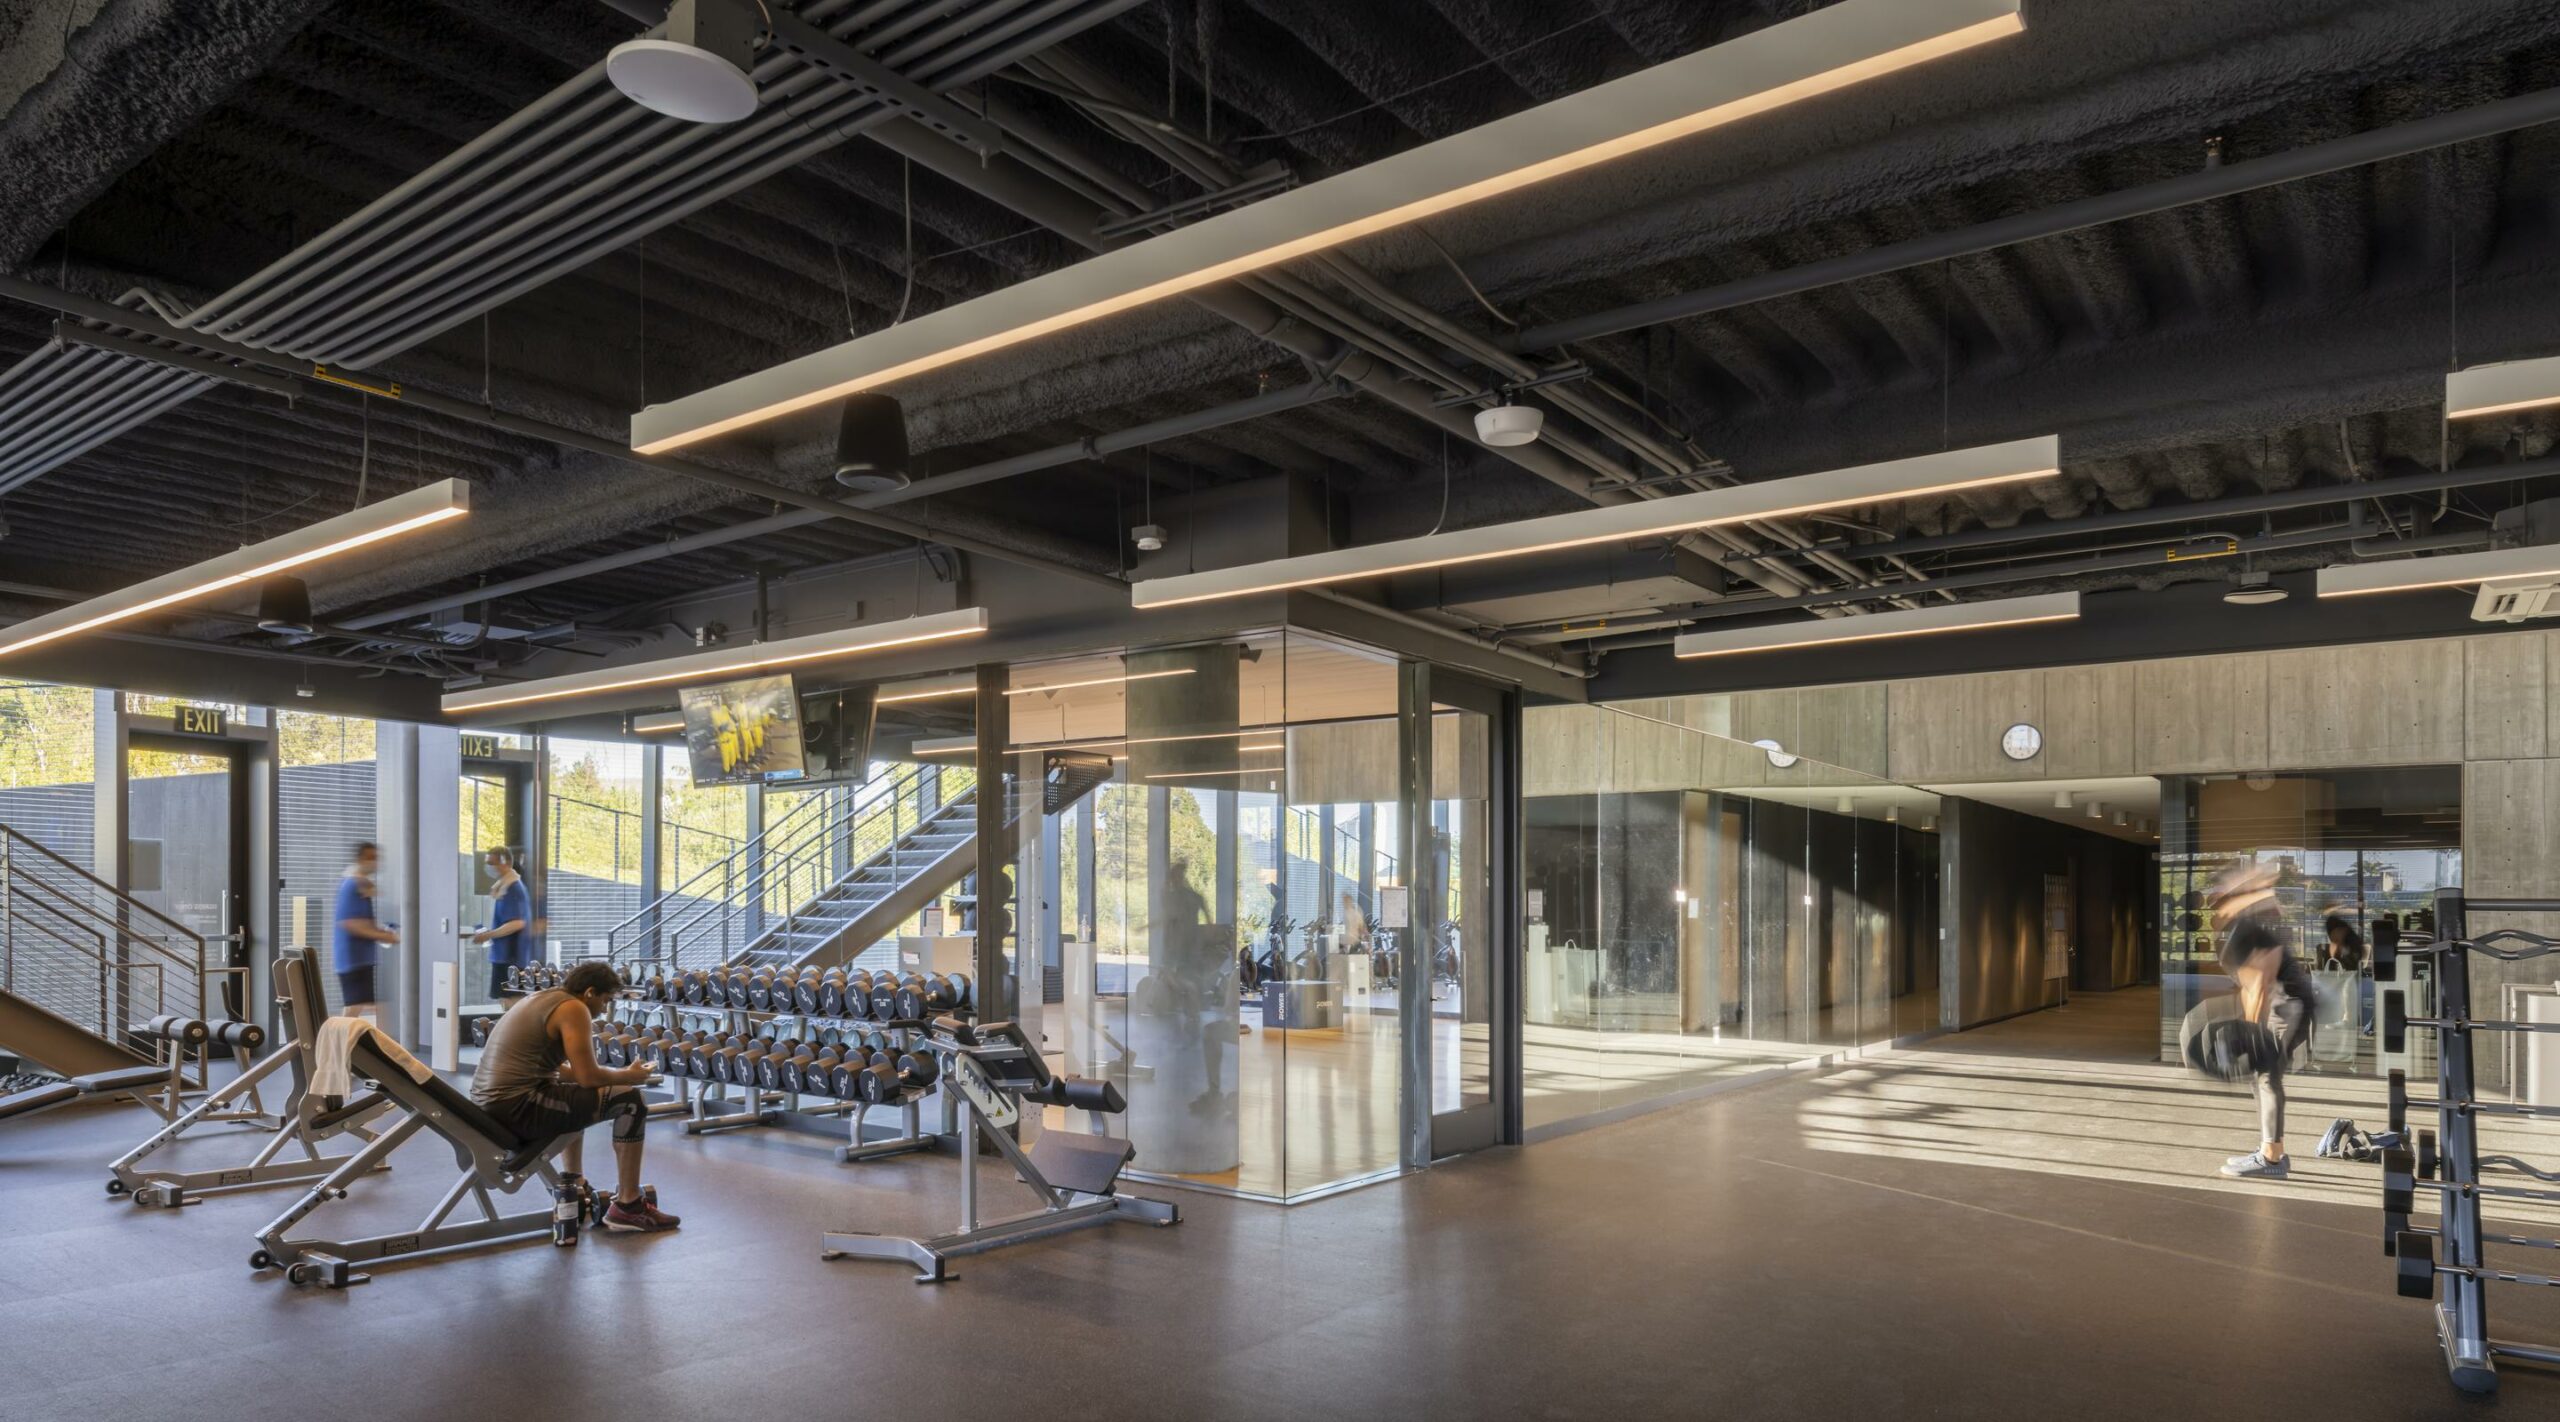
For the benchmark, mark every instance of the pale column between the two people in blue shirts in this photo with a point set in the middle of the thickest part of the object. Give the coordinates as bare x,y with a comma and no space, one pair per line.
419,826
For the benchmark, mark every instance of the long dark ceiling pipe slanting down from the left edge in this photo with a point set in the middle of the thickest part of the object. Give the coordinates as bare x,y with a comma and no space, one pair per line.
14,288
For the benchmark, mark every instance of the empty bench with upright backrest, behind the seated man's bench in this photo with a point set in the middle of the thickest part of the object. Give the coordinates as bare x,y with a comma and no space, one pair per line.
306,1121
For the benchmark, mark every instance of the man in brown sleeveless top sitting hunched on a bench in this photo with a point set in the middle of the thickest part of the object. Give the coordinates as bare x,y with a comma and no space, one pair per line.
541,1080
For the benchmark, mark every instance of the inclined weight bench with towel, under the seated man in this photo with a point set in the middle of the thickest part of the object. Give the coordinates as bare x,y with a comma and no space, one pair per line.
490,1157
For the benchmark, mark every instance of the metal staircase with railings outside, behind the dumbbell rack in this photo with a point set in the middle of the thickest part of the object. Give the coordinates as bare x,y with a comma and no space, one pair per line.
831,878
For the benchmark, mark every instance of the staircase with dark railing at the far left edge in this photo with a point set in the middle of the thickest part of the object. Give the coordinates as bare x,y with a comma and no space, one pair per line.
83,962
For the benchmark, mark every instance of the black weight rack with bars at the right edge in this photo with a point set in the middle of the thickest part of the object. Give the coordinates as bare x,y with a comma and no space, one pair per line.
2454,1172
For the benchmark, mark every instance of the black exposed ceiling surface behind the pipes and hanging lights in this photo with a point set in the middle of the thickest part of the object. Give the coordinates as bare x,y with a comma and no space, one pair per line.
2277,339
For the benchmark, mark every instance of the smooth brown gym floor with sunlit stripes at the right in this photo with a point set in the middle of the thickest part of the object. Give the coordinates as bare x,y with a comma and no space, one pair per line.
2008,1223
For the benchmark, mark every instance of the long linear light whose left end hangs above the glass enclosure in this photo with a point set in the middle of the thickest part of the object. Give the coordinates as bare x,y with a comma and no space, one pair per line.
1619,524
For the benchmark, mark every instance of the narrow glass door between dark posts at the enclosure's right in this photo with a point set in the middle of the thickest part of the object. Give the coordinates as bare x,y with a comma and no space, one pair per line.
1458,939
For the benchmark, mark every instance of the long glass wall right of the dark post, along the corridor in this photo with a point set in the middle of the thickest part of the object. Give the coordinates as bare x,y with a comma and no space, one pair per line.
1706,908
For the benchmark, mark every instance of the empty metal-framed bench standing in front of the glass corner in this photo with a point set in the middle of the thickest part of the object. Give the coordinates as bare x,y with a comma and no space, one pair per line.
995,1070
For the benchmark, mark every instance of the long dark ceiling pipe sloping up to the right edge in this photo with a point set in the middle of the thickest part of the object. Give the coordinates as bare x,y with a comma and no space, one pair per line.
2203,186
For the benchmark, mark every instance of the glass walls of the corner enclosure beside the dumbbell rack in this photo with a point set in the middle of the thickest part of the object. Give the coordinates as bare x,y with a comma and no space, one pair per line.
1235,926
